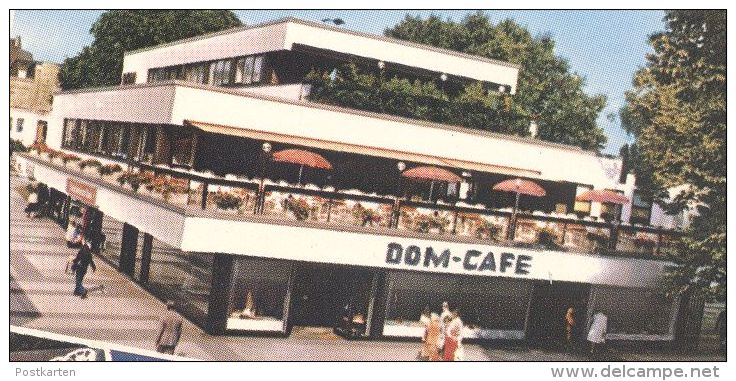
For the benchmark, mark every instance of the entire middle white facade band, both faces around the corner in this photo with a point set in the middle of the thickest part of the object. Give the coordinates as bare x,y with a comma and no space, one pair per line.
168,103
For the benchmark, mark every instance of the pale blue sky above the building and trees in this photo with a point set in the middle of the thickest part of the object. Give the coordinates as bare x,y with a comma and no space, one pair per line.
604,47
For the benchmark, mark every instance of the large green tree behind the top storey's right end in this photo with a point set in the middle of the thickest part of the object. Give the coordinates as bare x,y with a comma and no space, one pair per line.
547,91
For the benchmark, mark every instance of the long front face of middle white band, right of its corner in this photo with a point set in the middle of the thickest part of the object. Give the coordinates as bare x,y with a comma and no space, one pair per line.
555,162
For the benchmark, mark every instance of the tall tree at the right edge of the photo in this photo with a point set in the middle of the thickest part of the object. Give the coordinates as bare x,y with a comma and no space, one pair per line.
677,112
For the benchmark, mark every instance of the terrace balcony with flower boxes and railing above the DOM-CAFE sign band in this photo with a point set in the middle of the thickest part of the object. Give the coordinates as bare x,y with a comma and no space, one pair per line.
232,197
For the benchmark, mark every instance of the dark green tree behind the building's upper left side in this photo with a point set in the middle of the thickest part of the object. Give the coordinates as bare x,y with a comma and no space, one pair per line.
118,31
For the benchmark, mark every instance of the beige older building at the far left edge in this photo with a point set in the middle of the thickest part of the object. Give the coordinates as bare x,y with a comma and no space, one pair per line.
32,85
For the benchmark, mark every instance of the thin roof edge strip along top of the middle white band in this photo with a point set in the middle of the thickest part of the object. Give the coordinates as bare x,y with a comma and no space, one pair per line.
447,127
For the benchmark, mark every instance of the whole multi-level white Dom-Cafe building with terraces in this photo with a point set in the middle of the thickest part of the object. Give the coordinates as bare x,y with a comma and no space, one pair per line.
246,243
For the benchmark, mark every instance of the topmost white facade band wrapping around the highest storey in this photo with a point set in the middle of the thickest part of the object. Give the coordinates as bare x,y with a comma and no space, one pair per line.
283,35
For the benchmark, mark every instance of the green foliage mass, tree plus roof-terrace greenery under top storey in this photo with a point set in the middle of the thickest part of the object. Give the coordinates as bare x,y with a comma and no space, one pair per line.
547,91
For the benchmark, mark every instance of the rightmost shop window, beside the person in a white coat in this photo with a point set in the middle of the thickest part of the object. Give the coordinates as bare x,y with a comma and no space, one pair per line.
635,311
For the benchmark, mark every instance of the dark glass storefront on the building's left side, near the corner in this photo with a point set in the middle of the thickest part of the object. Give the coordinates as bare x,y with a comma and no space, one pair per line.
183,277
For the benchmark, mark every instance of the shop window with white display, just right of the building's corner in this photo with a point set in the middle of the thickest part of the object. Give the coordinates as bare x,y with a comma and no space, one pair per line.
258,294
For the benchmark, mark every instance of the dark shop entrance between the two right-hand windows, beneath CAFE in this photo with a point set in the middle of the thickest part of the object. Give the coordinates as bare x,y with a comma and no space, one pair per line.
549,306
